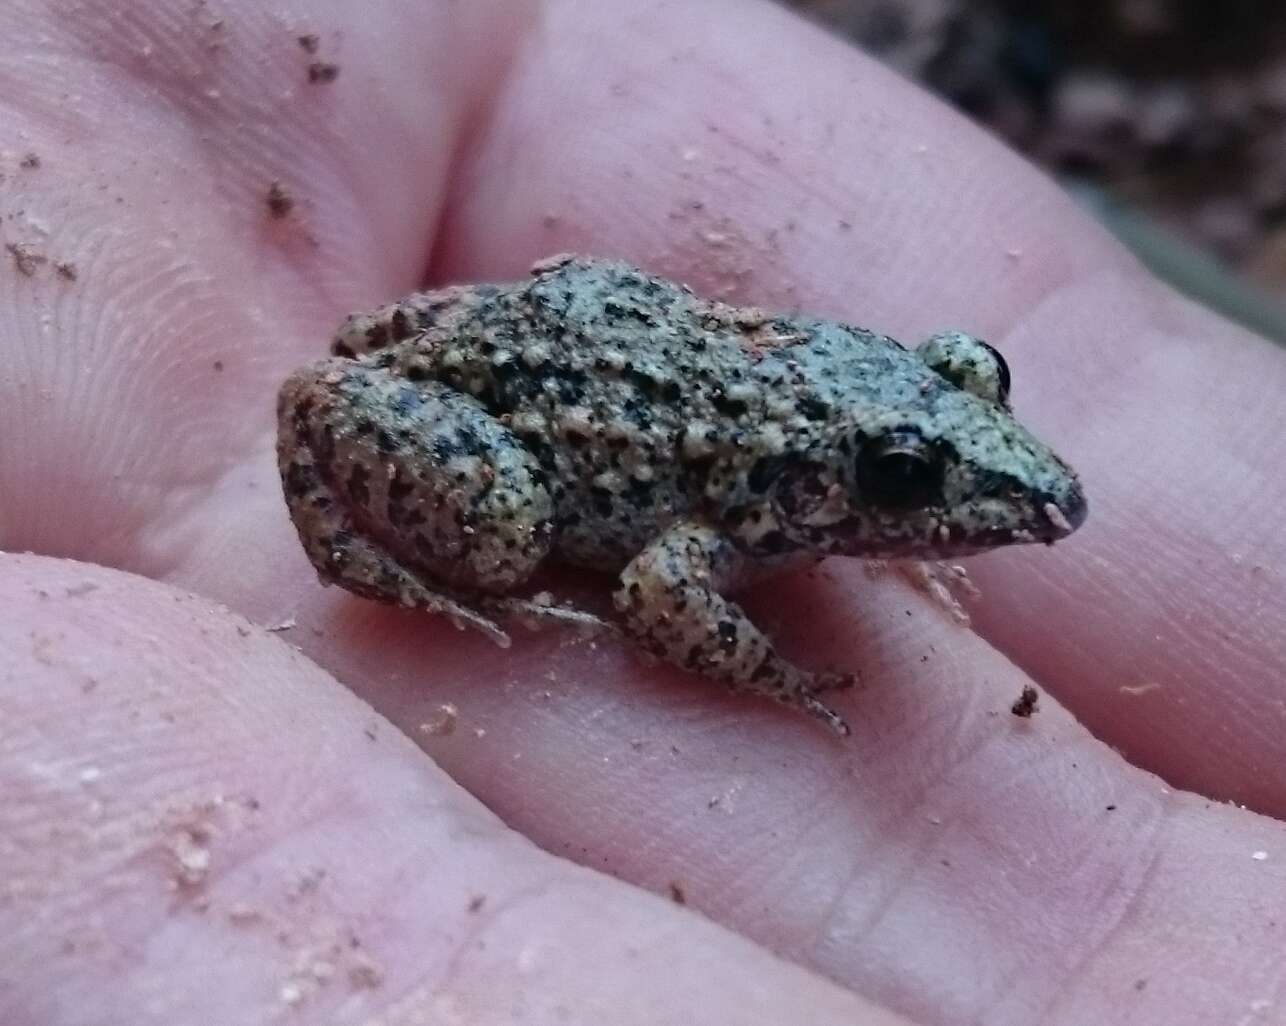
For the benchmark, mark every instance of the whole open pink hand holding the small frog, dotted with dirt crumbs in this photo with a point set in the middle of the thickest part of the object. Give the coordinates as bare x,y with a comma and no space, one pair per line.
948,863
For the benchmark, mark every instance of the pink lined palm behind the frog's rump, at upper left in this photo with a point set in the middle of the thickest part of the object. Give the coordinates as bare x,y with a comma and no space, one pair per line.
187,231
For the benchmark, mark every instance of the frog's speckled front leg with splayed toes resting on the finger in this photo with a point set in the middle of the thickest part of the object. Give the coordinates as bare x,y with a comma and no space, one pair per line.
672,605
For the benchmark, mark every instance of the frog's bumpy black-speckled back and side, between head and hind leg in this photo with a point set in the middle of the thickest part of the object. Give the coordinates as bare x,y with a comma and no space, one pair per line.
635,394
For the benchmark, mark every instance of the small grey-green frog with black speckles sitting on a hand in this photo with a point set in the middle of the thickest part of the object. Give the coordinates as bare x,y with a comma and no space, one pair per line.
610,420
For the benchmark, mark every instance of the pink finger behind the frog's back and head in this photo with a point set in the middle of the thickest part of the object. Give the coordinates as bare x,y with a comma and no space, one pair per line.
779,168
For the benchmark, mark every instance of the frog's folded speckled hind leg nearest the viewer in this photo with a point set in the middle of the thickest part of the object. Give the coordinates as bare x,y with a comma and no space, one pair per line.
410,492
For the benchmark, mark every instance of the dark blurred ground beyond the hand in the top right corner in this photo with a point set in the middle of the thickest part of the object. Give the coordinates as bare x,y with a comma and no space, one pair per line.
1167,118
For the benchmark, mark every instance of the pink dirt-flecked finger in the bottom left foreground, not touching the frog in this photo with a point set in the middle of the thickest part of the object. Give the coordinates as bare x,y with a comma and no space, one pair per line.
199,826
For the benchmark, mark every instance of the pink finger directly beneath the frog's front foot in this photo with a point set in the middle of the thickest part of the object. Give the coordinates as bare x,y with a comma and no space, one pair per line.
951,861
